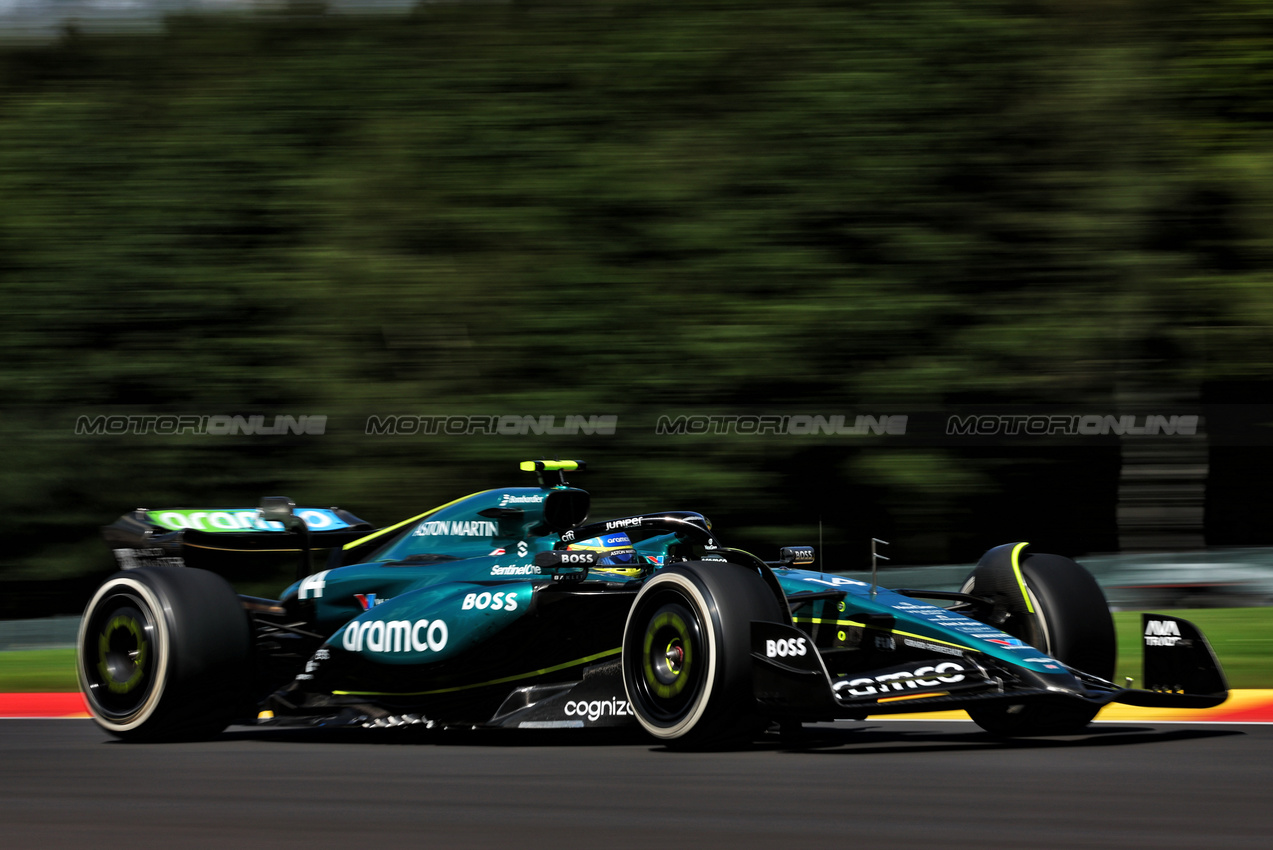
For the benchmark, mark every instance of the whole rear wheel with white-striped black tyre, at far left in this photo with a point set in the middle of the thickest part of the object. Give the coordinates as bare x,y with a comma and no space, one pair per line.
165,655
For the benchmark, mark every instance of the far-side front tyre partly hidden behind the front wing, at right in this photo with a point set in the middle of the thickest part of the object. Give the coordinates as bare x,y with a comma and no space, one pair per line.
1071,623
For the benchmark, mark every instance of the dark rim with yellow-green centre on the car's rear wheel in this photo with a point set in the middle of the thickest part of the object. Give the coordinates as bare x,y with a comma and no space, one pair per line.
119,655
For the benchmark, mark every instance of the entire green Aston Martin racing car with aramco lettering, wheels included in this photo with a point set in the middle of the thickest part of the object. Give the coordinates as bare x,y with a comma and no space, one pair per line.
507,609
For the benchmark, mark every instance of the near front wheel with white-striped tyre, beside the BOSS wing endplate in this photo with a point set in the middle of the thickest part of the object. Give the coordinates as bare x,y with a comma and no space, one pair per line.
687,655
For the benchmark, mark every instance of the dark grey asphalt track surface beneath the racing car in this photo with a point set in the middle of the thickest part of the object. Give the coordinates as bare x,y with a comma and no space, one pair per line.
889,784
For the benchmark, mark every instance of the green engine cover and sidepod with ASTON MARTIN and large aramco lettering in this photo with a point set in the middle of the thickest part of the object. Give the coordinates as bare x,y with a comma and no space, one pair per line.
450,618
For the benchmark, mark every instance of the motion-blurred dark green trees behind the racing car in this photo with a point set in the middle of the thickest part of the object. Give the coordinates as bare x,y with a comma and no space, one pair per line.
647,209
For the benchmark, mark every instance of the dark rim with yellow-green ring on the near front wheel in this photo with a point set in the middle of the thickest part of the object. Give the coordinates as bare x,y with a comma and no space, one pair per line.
673,658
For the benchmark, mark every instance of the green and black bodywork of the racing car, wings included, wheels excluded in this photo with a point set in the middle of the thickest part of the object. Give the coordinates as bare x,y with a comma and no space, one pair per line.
459,618
